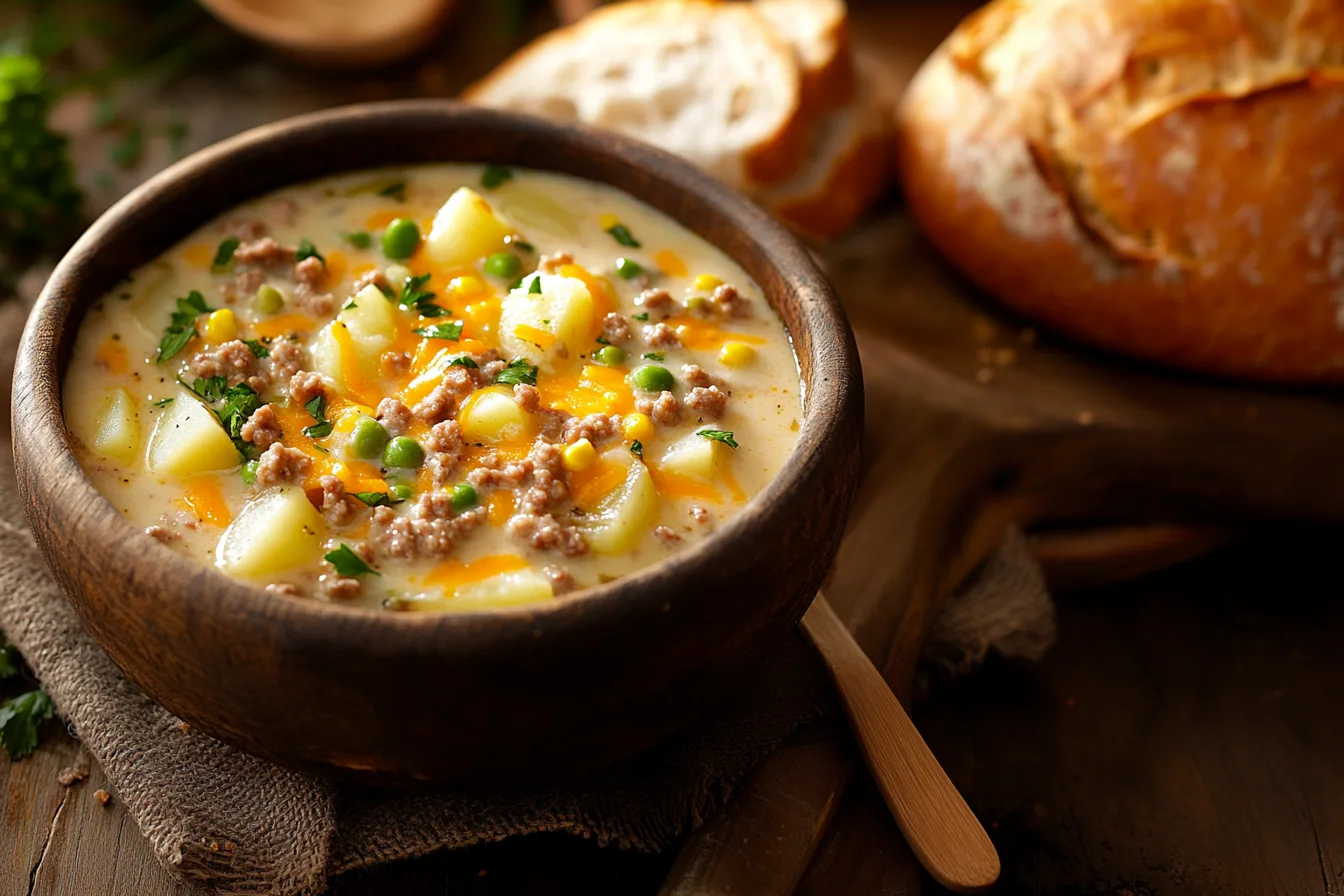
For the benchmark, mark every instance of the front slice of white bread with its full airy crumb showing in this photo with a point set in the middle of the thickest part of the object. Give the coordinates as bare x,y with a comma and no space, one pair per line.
710,83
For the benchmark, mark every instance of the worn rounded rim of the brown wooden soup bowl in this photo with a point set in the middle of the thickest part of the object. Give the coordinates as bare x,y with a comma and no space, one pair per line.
827,393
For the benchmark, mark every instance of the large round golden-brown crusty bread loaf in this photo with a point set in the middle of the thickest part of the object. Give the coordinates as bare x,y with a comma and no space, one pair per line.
1161,178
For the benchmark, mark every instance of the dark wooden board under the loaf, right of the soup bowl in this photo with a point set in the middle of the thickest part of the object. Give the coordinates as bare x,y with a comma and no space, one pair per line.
978,421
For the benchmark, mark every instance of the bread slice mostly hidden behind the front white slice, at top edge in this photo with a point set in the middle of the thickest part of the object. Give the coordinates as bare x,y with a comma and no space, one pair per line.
819,33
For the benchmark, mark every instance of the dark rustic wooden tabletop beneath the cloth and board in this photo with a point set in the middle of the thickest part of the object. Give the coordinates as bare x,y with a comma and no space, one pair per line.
1181,738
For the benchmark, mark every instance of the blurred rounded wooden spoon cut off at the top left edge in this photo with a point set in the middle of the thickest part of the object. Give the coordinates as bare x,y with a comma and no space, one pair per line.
337,33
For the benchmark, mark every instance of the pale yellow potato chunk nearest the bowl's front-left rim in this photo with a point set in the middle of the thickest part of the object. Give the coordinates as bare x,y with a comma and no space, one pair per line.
276,533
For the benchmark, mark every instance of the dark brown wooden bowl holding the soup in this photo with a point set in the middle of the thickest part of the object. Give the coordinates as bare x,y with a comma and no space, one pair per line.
537,692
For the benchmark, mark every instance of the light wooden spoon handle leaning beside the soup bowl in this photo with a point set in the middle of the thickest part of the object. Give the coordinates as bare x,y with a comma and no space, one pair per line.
944,834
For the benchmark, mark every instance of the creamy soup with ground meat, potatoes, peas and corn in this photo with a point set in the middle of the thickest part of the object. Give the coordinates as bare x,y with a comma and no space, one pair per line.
444,388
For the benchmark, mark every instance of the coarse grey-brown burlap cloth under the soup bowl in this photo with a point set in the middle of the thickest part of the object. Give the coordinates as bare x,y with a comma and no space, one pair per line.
239,824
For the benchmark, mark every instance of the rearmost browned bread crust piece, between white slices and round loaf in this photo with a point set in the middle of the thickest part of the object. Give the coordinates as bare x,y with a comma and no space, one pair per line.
849,169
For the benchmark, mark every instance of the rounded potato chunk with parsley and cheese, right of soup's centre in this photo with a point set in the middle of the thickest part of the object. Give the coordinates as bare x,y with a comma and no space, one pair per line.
564,312
